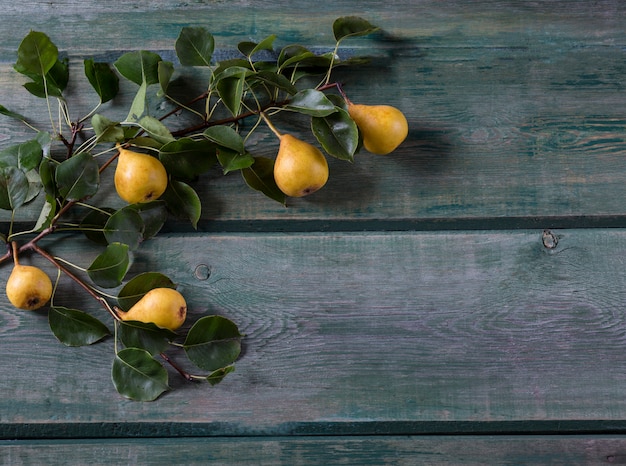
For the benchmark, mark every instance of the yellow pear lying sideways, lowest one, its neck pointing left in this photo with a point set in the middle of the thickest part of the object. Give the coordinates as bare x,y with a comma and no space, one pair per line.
164,307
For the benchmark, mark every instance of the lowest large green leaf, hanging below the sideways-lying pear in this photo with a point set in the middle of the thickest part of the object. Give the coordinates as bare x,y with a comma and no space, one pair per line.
138,376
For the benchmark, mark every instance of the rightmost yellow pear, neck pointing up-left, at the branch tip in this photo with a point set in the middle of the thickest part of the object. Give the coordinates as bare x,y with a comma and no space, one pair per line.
383,127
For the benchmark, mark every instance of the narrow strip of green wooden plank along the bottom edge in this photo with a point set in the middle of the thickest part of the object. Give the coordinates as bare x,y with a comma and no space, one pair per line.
405,450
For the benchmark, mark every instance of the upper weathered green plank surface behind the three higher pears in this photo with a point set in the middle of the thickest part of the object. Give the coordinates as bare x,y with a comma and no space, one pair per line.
515,109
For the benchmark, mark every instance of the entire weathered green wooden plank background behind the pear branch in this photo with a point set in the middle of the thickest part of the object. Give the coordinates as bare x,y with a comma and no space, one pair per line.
414,311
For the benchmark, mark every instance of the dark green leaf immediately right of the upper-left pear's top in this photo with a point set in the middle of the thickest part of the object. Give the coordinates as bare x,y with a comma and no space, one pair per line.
187,158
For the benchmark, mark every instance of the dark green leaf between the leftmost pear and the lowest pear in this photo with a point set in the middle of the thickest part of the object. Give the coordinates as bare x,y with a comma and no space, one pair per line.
75,328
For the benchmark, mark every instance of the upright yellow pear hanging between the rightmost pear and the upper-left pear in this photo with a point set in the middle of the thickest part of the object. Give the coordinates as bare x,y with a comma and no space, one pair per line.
300,168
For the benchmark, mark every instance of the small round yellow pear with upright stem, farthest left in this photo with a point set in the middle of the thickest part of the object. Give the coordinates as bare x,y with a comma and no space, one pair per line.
28,287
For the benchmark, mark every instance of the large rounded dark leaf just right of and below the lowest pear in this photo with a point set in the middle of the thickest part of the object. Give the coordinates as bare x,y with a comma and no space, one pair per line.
213,342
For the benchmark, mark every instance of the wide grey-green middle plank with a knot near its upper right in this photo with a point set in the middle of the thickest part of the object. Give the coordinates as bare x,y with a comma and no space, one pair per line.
354,333
